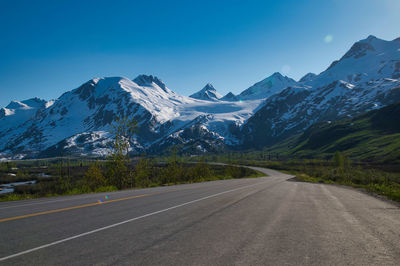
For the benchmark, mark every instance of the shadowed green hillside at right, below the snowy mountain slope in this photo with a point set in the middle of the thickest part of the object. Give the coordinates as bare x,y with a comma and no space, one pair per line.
372,136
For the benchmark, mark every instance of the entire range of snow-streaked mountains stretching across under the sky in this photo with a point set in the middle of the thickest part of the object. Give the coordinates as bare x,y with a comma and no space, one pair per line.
367,77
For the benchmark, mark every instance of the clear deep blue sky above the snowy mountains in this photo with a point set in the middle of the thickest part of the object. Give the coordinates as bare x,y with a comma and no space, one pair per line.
49,47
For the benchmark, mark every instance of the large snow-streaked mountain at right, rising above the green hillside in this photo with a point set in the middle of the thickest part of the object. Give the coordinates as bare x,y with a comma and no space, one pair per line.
365,78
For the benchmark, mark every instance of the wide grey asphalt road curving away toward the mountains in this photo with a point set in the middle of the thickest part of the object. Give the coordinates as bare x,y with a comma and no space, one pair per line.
260,221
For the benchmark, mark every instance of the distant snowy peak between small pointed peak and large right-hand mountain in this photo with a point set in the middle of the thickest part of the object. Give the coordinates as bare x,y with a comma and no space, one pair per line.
267,87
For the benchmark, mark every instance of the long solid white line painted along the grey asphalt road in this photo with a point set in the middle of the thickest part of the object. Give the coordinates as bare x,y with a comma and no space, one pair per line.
123,222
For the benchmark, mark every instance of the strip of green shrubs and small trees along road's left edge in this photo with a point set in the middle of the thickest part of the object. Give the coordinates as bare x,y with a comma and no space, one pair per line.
108,176
